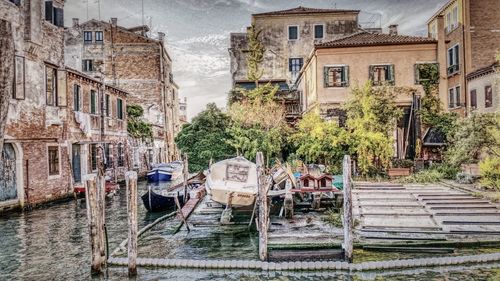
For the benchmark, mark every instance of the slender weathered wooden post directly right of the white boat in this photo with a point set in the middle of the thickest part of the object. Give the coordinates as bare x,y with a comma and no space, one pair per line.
263,206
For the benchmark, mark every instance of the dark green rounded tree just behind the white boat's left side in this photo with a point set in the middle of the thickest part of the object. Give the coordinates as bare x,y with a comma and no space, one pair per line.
206,138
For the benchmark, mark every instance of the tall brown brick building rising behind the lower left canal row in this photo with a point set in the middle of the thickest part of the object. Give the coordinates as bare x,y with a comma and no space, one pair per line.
130,60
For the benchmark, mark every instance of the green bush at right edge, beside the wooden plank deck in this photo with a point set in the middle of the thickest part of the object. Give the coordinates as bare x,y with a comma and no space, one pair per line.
473,136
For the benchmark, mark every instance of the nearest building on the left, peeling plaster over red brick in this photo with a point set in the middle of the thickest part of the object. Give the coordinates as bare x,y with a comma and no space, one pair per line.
35,166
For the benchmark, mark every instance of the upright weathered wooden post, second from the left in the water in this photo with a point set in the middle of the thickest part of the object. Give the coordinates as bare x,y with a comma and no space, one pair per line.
131,181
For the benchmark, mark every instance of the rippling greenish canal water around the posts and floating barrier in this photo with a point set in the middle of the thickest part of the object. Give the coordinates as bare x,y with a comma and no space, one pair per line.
52,243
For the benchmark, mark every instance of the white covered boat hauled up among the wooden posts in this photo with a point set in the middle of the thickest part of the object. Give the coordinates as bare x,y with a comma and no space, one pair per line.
235,178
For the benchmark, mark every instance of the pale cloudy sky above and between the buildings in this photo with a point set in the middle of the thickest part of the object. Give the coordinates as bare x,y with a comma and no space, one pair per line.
197,31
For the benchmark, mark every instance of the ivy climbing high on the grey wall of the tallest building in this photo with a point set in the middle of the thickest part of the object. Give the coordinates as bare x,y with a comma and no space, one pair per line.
255,54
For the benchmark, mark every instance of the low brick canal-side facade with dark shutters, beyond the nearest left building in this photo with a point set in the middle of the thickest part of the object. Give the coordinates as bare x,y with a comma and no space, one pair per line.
96,117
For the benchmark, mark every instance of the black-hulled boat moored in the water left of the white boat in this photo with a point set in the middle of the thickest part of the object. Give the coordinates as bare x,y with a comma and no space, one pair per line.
157,200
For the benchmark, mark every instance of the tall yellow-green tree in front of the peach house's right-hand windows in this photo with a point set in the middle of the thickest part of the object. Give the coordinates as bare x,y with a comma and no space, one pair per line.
372,115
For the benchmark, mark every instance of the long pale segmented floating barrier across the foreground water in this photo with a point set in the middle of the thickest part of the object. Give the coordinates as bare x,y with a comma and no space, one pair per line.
301,265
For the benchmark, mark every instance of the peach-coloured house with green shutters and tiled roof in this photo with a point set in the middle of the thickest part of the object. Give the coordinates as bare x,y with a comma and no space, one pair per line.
335,67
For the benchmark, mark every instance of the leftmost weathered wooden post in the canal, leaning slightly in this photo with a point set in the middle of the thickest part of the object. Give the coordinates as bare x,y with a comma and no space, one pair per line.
93,221
